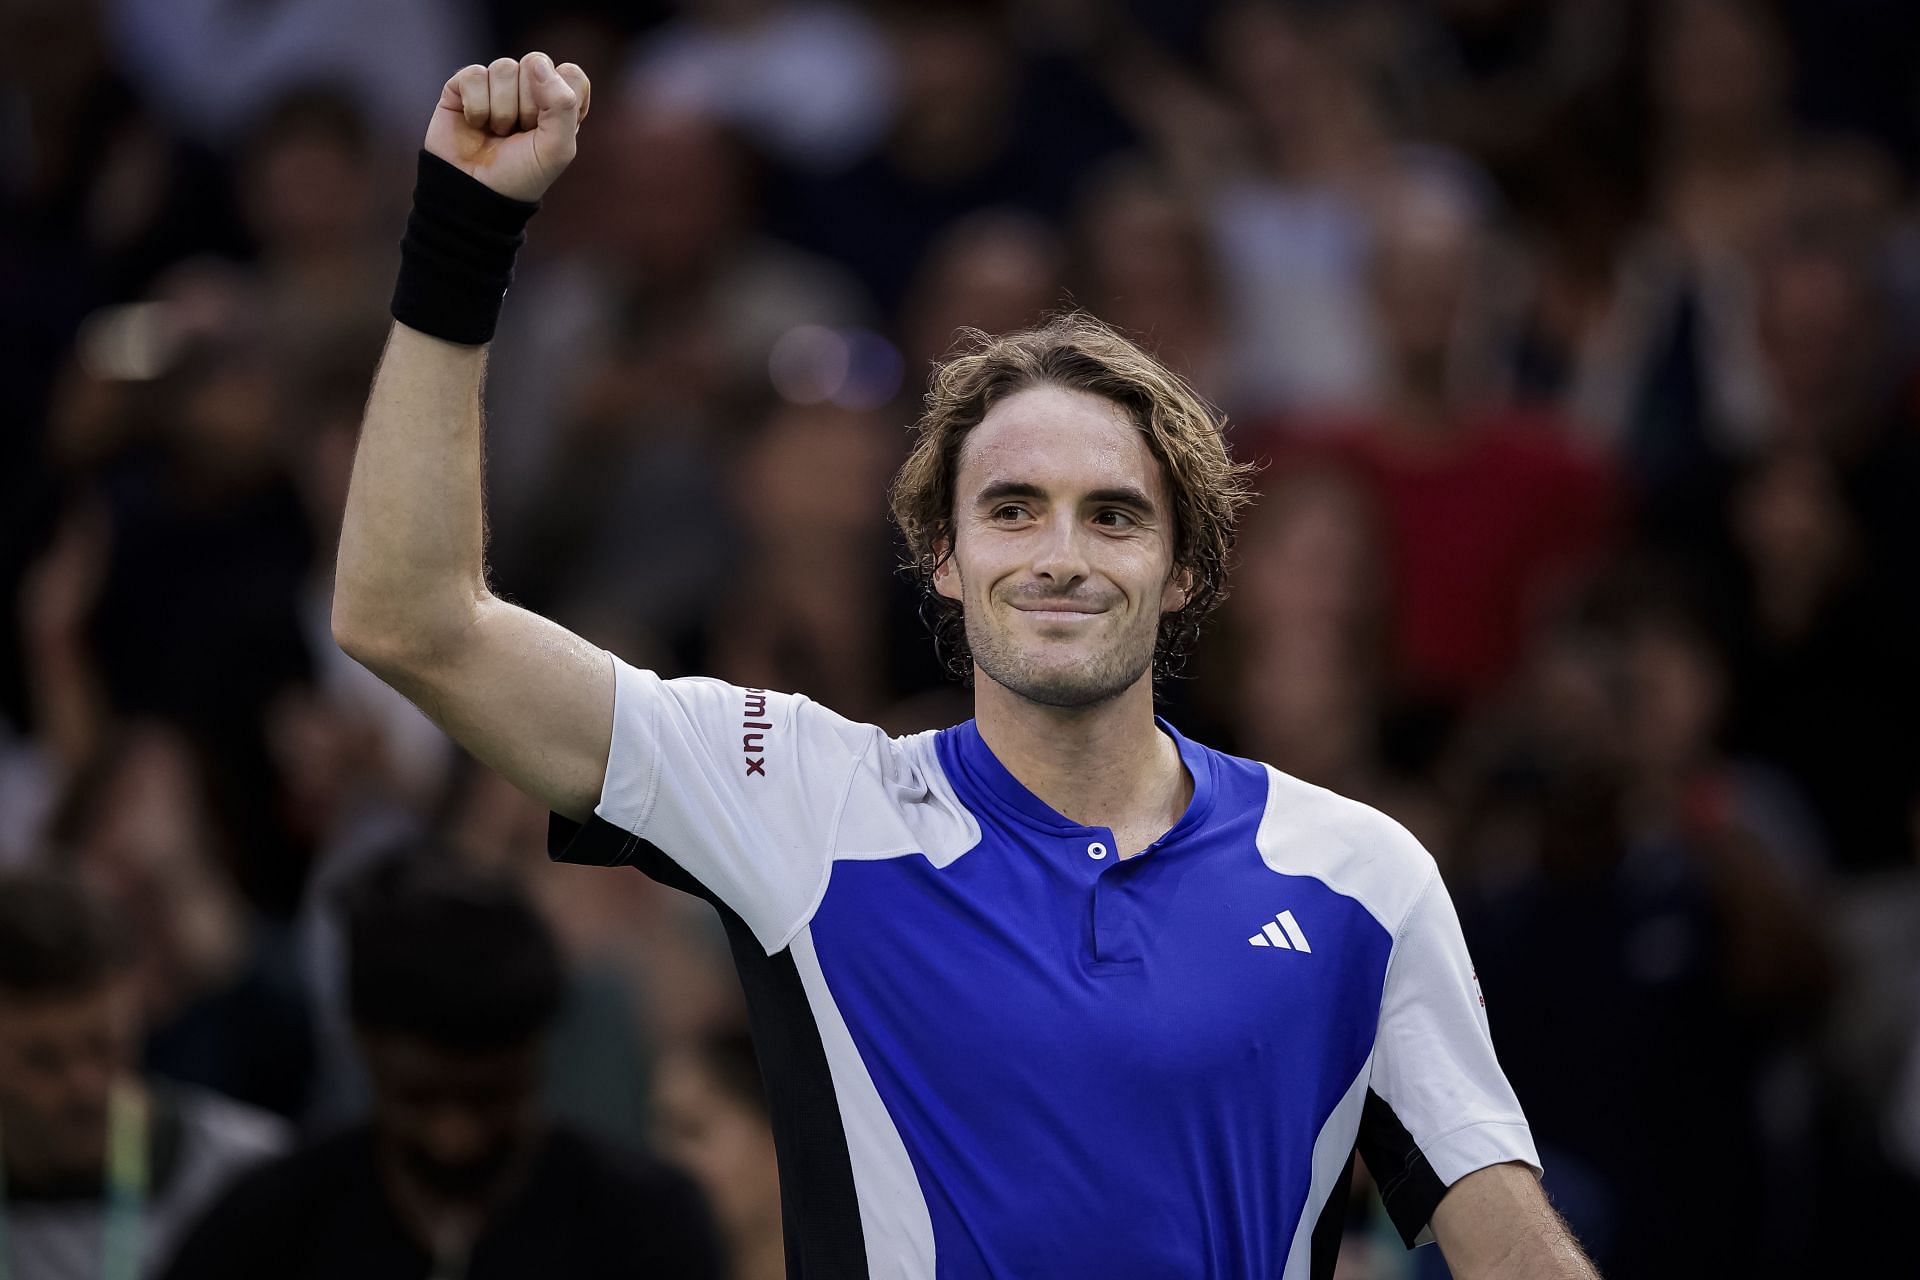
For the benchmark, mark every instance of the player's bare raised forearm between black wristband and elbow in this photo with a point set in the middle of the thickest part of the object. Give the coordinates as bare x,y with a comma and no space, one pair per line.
414,544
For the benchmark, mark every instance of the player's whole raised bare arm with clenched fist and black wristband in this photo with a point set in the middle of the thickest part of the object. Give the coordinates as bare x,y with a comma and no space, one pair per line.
410,598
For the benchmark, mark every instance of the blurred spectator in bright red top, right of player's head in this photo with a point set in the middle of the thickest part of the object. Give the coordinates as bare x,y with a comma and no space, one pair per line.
1491,511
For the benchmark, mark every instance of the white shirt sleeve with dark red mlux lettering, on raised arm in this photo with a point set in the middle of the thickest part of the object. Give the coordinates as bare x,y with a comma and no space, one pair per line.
742,790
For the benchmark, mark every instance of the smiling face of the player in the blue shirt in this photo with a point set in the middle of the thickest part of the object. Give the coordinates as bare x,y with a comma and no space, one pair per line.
1063,548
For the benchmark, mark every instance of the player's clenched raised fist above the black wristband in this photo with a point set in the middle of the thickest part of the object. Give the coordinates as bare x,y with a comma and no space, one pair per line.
512,124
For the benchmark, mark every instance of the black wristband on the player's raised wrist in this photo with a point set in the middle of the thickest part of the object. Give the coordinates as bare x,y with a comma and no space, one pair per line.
456,260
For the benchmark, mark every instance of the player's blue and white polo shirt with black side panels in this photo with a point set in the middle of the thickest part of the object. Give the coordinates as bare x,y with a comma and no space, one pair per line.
996,1049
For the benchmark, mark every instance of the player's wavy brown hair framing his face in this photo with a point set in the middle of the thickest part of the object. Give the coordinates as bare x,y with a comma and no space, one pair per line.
1084,354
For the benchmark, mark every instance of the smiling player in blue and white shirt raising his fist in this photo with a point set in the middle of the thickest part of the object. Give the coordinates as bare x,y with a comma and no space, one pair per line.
1055,993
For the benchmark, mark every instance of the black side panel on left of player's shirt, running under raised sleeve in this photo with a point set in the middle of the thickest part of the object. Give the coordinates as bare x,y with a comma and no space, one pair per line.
817,1195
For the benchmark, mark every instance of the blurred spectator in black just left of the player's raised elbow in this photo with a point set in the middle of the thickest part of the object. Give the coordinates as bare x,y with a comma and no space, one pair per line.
203,523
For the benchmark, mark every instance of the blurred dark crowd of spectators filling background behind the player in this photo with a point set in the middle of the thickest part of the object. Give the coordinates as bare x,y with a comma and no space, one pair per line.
1579,343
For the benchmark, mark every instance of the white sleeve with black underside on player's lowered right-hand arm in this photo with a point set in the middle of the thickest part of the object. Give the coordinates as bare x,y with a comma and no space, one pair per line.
1439,1104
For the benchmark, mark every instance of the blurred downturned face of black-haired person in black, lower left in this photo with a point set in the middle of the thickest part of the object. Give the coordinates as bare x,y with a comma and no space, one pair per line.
456,1122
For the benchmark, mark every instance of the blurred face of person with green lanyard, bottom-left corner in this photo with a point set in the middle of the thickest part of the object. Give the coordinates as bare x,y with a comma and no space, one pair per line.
60,1058
